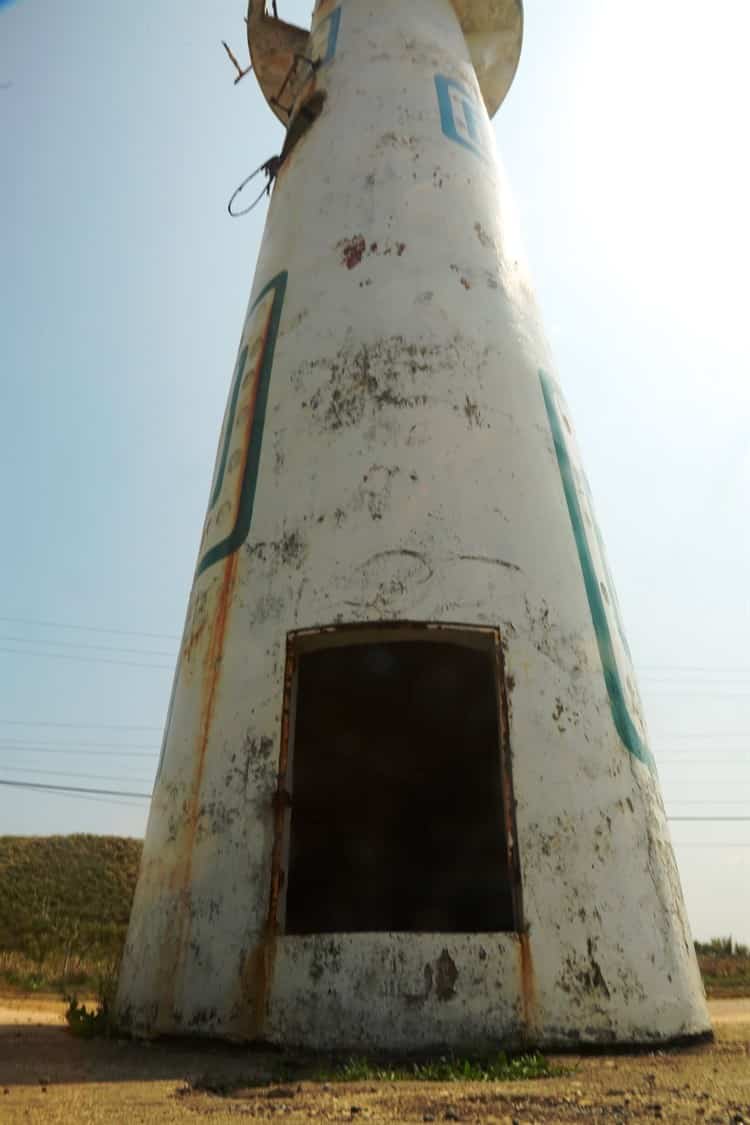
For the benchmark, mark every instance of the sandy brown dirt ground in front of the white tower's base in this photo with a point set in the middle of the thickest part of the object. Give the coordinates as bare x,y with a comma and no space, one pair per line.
49,1076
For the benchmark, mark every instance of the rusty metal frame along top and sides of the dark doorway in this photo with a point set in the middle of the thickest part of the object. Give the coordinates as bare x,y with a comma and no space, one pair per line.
309,641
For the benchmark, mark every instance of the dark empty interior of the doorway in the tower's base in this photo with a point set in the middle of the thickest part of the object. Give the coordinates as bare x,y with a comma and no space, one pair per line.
397,813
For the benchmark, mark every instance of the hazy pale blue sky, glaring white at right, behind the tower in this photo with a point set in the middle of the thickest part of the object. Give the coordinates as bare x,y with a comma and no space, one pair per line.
124,290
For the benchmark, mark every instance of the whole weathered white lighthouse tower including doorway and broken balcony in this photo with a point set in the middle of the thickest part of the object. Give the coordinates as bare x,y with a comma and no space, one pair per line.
406,796
